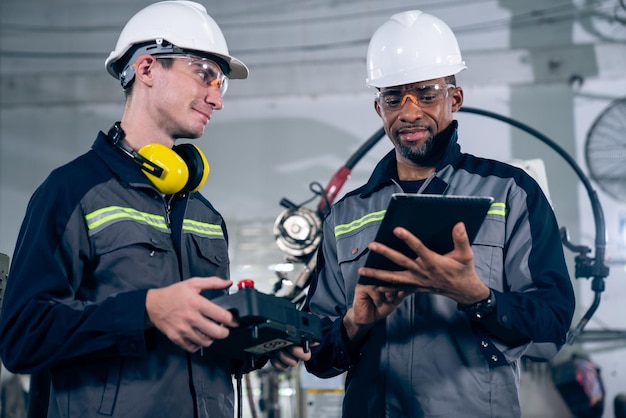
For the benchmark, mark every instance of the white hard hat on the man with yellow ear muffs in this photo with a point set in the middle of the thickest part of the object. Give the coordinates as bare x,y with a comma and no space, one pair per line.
175,26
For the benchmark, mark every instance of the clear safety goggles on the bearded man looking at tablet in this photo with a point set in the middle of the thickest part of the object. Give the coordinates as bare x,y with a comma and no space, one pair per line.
423,96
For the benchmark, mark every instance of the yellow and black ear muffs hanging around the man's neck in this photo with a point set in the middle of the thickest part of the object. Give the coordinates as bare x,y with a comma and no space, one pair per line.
184,168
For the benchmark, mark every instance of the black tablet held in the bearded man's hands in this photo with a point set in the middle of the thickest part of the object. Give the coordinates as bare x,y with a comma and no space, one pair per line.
430,218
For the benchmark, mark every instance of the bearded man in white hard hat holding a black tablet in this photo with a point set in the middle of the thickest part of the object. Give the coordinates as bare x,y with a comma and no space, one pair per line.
443,335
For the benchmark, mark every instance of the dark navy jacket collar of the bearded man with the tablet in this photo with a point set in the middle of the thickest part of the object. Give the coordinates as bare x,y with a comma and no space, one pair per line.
386,170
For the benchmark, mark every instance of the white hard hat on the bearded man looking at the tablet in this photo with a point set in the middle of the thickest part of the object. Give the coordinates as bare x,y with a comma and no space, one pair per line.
412,46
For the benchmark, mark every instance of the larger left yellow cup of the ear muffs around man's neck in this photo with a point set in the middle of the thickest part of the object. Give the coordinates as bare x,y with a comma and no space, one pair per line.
175,173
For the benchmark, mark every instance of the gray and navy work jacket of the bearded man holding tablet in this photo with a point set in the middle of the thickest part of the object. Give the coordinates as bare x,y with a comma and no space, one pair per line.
427,359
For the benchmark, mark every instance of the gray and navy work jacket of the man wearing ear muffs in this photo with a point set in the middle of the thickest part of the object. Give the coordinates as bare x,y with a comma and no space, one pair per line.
96,237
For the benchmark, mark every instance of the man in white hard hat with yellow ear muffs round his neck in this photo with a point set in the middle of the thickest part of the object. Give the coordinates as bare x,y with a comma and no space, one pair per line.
108,301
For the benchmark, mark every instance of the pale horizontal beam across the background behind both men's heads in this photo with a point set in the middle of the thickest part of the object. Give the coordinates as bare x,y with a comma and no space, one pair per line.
516,67
